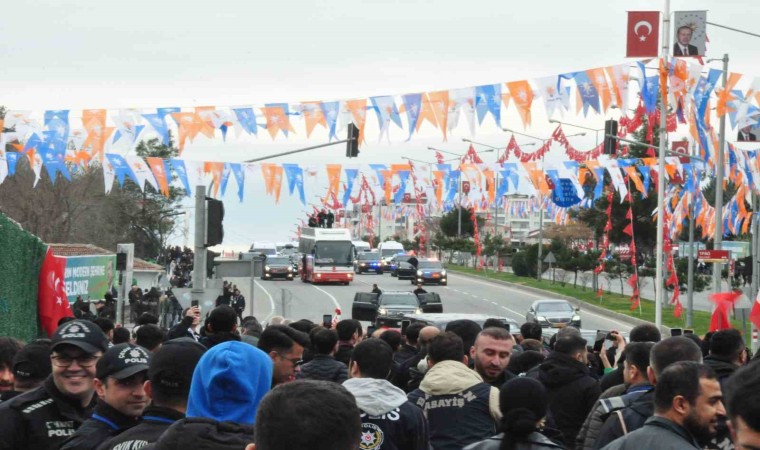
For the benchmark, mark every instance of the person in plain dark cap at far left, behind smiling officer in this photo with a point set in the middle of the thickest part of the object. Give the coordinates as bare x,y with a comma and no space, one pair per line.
31,366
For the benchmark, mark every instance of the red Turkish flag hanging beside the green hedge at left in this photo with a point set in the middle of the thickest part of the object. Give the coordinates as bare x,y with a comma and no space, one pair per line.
52,302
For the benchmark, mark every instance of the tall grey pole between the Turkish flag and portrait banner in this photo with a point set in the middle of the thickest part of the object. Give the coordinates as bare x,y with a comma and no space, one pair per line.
659,288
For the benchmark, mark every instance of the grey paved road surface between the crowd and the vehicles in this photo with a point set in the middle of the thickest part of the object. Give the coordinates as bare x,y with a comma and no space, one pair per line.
297,300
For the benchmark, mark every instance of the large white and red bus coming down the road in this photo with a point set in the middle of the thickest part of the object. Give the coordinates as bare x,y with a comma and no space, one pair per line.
328,255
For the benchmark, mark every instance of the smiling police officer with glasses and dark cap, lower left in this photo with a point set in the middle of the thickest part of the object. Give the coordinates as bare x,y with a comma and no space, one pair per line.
44,417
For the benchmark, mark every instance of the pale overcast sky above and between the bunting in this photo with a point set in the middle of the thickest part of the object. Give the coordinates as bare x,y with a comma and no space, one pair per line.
76,54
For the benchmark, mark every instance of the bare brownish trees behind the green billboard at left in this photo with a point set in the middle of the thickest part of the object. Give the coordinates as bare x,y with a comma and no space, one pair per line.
79,211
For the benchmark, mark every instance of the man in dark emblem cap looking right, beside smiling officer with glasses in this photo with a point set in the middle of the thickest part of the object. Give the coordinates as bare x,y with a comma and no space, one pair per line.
119,378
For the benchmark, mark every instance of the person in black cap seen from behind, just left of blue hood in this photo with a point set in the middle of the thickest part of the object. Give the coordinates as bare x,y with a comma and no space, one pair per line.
169,376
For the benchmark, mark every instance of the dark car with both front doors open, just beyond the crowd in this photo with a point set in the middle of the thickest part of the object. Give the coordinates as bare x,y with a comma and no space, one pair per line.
368,306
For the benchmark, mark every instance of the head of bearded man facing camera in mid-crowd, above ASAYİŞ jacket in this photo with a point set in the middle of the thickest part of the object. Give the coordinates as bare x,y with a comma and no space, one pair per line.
491,353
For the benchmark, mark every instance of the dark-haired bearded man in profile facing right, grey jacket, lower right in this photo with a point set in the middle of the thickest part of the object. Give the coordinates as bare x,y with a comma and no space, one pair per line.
688,402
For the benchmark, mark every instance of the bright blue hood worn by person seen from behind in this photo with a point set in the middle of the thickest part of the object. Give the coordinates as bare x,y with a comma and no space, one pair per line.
229,382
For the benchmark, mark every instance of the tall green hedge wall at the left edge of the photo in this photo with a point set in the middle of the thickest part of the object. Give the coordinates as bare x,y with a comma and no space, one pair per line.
21,256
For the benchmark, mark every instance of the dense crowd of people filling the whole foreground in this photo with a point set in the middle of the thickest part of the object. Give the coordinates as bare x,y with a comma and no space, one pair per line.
226,383
